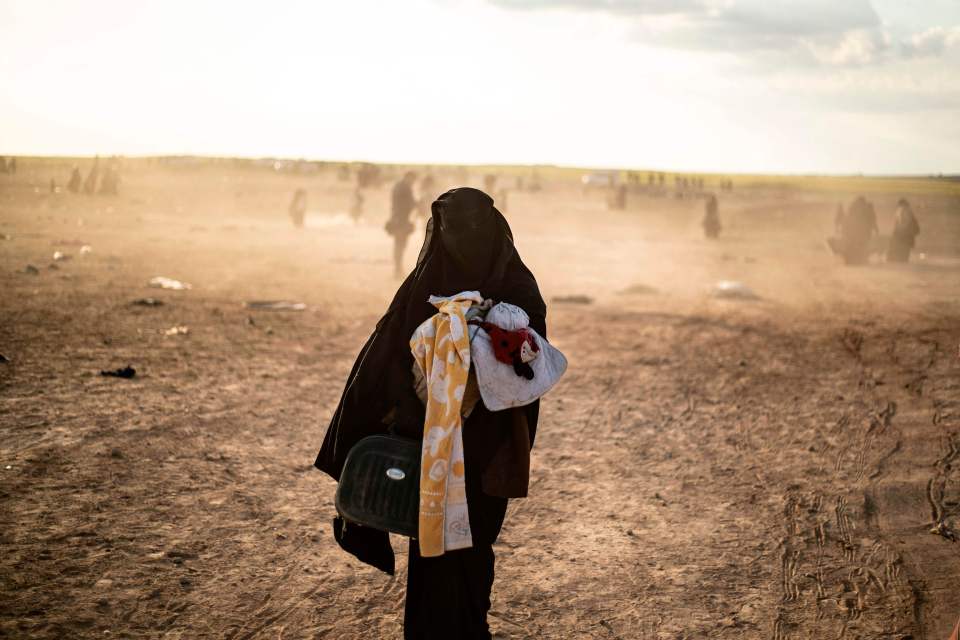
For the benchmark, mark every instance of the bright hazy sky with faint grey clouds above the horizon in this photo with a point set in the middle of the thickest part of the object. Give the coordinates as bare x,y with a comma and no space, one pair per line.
827,86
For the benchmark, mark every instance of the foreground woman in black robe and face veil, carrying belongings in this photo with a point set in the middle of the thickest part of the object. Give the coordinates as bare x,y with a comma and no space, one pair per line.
468,246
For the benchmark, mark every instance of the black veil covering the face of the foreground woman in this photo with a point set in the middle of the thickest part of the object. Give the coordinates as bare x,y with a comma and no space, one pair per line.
468,237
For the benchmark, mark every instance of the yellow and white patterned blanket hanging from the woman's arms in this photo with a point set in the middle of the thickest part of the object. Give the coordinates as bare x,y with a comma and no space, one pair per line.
441,348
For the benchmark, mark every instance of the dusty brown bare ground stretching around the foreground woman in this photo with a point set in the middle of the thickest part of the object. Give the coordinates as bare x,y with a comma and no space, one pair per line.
708,468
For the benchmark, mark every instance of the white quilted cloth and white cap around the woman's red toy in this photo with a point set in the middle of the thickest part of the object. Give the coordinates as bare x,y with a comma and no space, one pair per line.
500,386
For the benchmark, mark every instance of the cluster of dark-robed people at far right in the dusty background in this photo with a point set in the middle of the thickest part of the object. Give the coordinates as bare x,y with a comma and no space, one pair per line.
856,229
